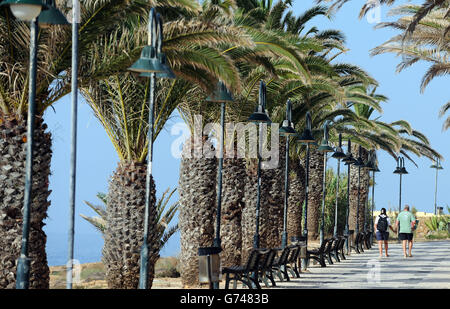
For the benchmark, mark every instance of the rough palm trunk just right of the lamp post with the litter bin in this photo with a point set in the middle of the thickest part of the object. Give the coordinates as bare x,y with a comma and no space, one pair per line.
233,188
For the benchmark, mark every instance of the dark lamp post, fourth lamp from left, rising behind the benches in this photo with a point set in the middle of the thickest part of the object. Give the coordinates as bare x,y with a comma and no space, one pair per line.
260,117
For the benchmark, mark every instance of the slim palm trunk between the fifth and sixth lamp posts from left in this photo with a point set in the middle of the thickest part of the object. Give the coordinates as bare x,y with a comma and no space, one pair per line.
296,198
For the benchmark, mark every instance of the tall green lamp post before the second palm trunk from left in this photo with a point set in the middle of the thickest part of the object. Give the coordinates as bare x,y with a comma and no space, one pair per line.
149,63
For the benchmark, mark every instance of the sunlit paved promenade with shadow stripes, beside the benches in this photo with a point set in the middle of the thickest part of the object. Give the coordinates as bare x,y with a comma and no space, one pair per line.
429,268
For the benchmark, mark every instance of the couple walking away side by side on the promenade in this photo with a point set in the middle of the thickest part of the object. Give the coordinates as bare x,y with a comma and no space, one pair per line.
405,224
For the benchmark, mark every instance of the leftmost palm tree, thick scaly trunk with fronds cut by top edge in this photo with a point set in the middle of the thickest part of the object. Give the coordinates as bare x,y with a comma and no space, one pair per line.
53,82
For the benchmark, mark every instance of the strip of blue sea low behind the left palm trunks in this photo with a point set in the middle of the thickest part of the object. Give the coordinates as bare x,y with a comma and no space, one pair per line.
88,248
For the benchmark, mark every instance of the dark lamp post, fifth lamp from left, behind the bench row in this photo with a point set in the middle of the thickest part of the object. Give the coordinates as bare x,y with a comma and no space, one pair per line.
287,130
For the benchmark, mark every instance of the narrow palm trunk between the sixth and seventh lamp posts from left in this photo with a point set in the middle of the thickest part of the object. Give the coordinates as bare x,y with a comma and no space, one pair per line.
315,193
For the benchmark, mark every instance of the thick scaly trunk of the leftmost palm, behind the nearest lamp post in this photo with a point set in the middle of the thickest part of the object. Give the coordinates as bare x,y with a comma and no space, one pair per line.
12,184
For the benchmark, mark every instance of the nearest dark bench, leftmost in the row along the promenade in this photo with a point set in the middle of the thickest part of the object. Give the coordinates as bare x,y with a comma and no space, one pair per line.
247,274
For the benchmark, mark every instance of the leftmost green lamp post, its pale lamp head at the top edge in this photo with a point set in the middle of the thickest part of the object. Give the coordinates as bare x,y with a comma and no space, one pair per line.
28,10
